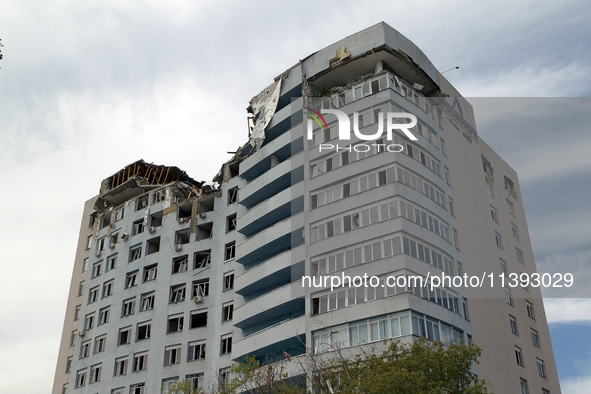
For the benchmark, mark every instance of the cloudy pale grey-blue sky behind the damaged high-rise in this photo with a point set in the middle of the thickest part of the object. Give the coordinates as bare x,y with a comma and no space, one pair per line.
89,87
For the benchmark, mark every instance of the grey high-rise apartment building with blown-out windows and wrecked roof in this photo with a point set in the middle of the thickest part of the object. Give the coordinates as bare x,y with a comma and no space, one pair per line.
175,279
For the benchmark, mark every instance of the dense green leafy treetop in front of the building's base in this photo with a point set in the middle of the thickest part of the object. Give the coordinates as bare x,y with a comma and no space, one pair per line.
420,368
